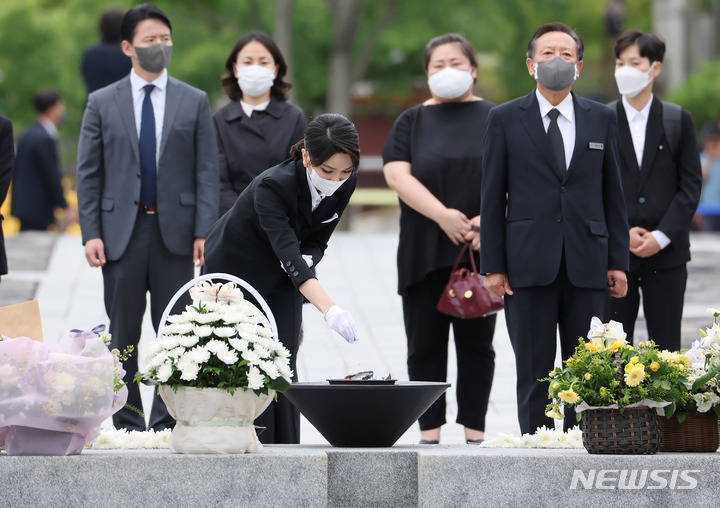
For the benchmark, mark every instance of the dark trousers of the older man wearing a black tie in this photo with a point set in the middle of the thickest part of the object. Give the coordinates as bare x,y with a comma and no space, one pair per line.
533,316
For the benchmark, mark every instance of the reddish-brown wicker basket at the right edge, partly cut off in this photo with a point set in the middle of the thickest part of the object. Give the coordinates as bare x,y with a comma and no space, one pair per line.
698,433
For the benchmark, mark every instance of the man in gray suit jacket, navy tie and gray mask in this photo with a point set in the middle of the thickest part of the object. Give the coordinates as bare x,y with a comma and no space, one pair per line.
147,189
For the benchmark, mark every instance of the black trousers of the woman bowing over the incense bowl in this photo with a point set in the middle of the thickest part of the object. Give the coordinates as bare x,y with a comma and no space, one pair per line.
281,418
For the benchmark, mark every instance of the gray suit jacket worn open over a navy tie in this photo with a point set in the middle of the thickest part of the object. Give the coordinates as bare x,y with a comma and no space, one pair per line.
108,173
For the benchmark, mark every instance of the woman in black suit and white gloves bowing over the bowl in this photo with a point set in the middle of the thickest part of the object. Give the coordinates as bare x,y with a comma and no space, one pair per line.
278,230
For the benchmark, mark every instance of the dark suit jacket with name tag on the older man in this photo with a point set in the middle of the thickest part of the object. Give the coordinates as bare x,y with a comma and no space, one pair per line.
532,210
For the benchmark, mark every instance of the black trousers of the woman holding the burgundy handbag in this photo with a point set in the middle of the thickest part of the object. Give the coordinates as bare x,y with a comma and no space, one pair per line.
427,333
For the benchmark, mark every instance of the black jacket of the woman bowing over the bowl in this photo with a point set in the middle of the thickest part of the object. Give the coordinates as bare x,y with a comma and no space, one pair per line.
271,223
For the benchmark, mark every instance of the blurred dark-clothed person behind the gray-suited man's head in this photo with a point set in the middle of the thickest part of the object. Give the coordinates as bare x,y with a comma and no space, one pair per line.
106,63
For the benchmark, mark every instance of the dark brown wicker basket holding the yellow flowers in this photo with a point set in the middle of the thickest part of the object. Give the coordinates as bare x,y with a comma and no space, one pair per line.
632,431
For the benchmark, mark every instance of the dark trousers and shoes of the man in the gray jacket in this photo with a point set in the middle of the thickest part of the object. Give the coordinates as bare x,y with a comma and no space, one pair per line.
145,266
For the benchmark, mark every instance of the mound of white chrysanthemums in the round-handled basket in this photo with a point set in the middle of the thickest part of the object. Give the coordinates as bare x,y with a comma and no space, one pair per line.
224,341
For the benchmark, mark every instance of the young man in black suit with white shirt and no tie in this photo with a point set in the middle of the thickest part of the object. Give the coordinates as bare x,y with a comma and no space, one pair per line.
662,180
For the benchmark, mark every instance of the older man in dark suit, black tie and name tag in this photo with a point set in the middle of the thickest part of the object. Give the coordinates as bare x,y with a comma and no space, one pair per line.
554,227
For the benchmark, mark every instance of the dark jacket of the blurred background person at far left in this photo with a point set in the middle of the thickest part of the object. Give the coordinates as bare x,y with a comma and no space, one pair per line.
37,188
